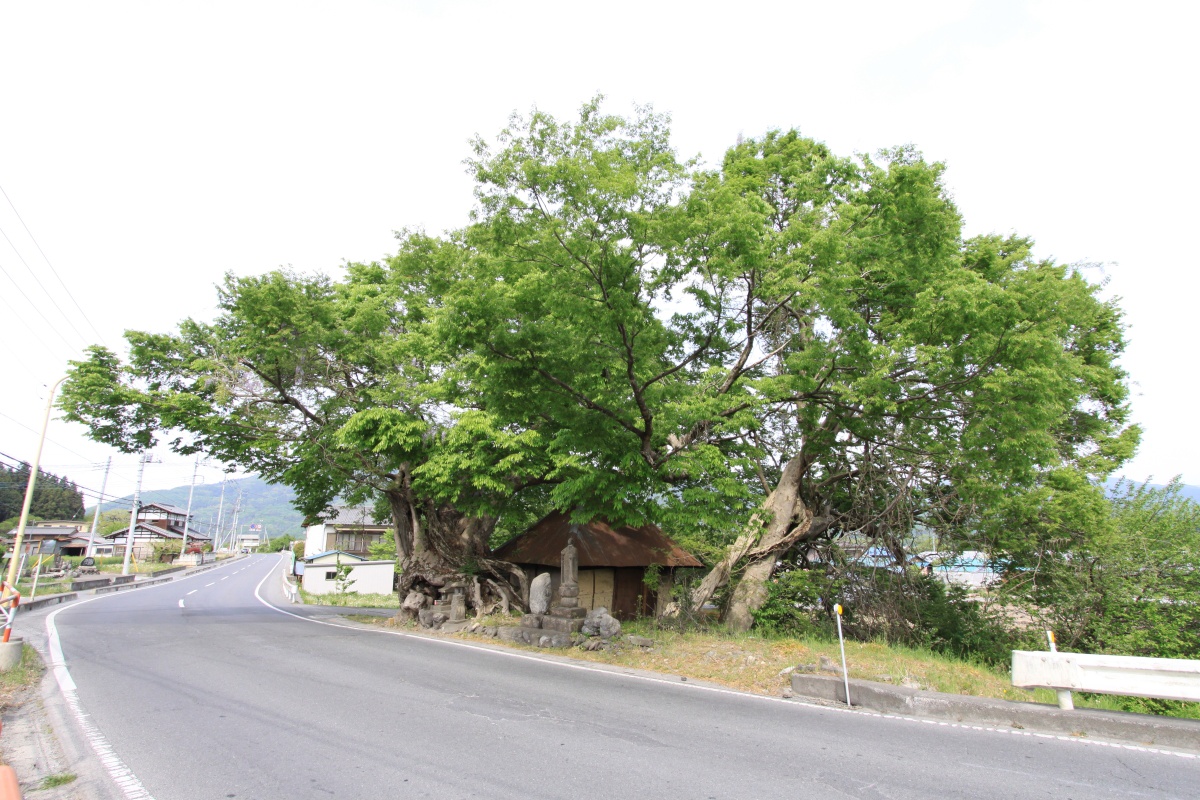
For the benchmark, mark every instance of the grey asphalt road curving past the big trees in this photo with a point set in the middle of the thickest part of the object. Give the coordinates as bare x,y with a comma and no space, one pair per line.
205,691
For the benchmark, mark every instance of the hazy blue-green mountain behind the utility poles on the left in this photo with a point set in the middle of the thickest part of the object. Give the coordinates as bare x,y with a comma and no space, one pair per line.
262,503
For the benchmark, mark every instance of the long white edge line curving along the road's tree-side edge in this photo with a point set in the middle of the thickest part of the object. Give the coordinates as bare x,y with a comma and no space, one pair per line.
698,688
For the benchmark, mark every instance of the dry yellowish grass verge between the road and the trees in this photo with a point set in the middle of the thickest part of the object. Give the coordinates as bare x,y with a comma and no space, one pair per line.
753,663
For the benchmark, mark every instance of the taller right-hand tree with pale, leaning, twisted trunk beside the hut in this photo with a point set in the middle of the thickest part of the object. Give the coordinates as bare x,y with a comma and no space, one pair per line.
799,344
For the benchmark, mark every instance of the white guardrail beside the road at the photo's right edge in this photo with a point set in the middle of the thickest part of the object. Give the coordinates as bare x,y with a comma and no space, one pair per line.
1169,679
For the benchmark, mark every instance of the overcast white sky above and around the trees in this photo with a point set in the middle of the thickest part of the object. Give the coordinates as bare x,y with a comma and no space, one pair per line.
153,147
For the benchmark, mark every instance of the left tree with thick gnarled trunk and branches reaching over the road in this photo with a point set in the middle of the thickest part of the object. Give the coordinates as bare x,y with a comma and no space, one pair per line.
333,388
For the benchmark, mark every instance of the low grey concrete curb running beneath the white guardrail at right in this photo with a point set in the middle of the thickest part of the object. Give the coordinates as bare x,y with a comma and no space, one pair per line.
1093,724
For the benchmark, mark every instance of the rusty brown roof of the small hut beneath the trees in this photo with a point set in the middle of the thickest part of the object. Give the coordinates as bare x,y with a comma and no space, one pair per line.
599,545
